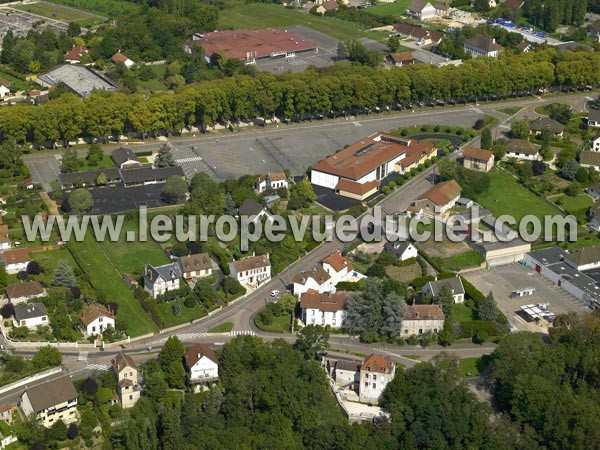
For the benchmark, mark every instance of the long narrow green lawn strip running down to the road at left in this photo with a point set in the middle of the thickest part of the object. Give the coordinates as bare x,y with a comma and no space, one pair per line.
105,278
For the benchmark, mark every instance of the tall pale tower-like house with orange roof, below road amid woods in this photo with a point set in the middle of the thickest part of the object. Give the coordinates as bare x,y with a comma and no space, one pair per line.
376,372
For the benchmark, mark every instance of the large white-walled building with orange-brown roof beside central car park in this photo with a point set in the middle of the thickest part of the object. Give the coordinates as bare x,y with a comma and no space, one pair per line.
357,170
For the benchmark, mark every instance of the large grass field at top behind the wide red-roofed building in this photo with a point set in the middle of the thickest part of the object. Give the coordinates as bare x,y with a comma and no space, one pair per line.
262,15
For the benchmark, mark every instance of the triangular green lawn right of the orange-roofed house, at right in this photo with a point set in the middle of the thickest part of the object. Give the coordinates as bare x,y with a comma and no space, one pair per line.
507,196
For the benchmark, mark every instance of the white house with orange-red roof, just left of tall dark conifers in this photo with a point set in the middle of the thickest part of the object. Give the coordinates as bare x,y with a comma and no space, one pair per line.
324,308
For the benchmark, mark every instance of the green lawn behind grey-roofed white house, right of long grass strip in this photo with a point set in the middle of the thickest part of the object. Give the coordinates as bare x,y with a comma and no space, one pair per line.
132,256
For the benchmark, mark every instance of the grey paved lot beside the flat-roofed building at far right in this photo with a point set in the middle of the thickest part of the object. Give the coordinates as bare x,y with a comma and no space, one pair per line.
504,280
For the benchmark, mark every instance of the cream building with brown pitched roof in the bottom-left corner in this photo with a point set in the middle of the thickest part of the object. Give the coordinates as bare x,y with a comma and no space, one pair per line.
51,401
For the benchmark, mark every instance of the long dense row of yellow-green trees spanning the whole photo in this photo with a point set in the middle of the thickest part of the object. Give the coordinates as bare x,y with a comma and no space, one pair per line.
342,88
